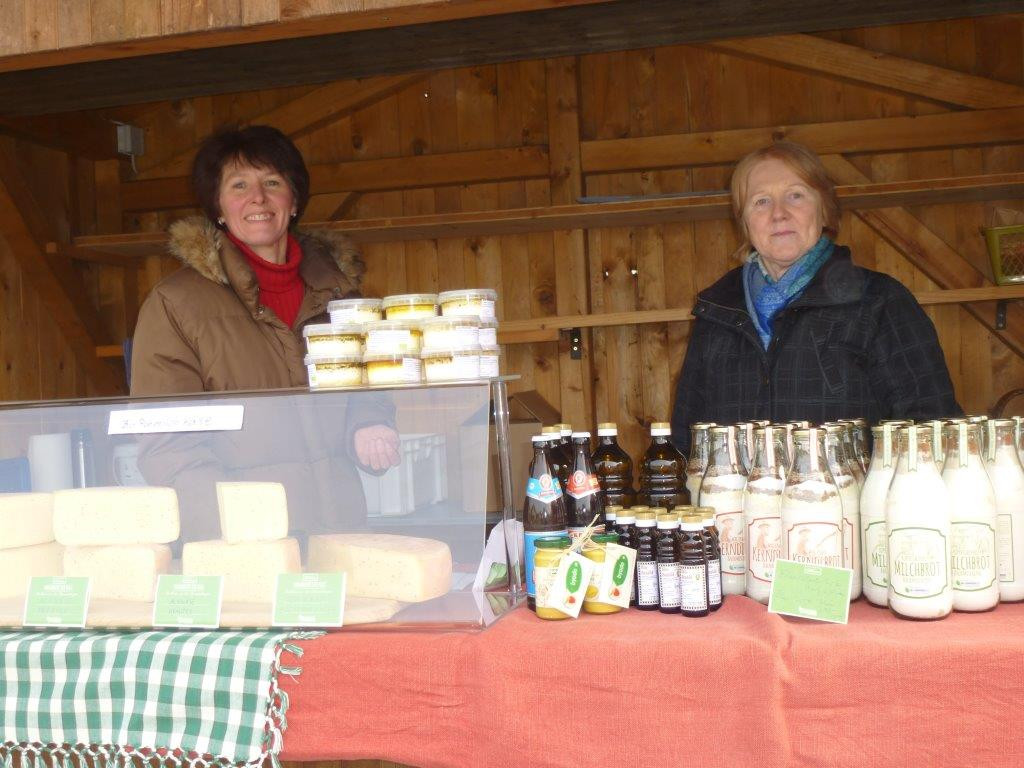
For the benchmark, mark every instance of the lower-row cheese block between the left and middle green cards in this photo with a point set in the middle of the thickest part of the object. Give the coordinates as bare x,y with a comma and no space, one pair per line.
121,572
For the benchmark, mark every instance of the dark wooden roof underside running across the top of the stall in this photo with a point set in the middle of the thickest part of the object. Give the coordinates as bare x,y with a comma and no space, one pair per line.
619,25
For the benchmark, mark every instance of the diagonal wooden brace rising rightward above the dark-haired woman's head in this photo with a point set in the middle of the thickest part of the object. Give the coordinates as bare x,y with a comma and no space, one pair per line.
302,115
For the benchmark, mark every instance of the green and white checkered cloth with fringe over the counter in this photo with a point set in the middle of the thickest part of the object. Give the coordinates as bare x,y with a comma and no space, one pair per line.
190,699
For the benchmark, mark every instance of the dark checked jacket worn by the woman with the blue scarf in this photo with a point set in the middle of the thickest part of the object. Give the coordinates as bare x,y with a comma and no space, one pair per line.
856,344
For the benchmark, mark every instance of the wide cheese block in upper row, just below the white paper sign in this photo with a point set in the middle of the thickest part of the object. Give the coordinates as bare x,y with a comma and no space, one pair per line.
86,518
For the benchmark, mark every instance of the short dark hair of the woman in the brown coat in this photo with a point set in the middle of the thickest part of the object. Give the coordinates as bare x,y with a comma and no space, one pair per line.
260,146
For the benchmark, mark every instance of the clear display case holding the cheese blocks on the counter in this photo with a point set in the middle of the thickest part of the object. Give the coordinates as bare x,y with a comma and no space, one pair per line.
387,485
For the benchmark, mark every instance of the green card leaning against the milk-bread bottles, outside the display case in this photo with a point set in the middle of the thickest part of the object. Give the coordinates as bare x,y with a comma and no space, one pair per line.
818,592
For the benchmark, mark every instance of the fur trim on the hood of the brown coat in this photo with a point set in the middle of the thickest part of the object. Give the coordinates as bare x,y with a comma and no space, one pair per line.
198,244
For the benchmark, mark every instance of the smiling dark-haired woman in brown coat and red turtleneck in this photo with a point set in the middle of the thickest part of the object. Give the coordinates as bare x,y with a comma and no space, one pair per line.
233,318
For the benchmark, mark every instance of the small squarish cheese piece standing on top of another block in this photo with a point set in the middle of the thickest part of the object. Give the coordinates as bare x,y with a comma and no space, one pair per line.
252,511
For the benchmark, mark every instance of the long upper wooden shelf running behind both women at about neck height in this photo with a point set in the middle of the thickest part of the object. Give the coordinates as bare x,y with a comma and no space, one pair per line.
617,214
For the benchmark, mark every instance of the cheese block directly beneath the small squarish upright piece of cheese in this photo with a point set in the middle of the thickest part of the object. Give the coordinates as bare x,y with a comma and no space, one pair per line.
250,569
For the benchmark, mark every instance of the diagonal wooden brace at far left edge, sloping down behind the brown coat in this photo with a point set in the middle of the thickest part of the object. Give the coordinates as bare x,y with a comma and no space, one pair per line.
25,228
